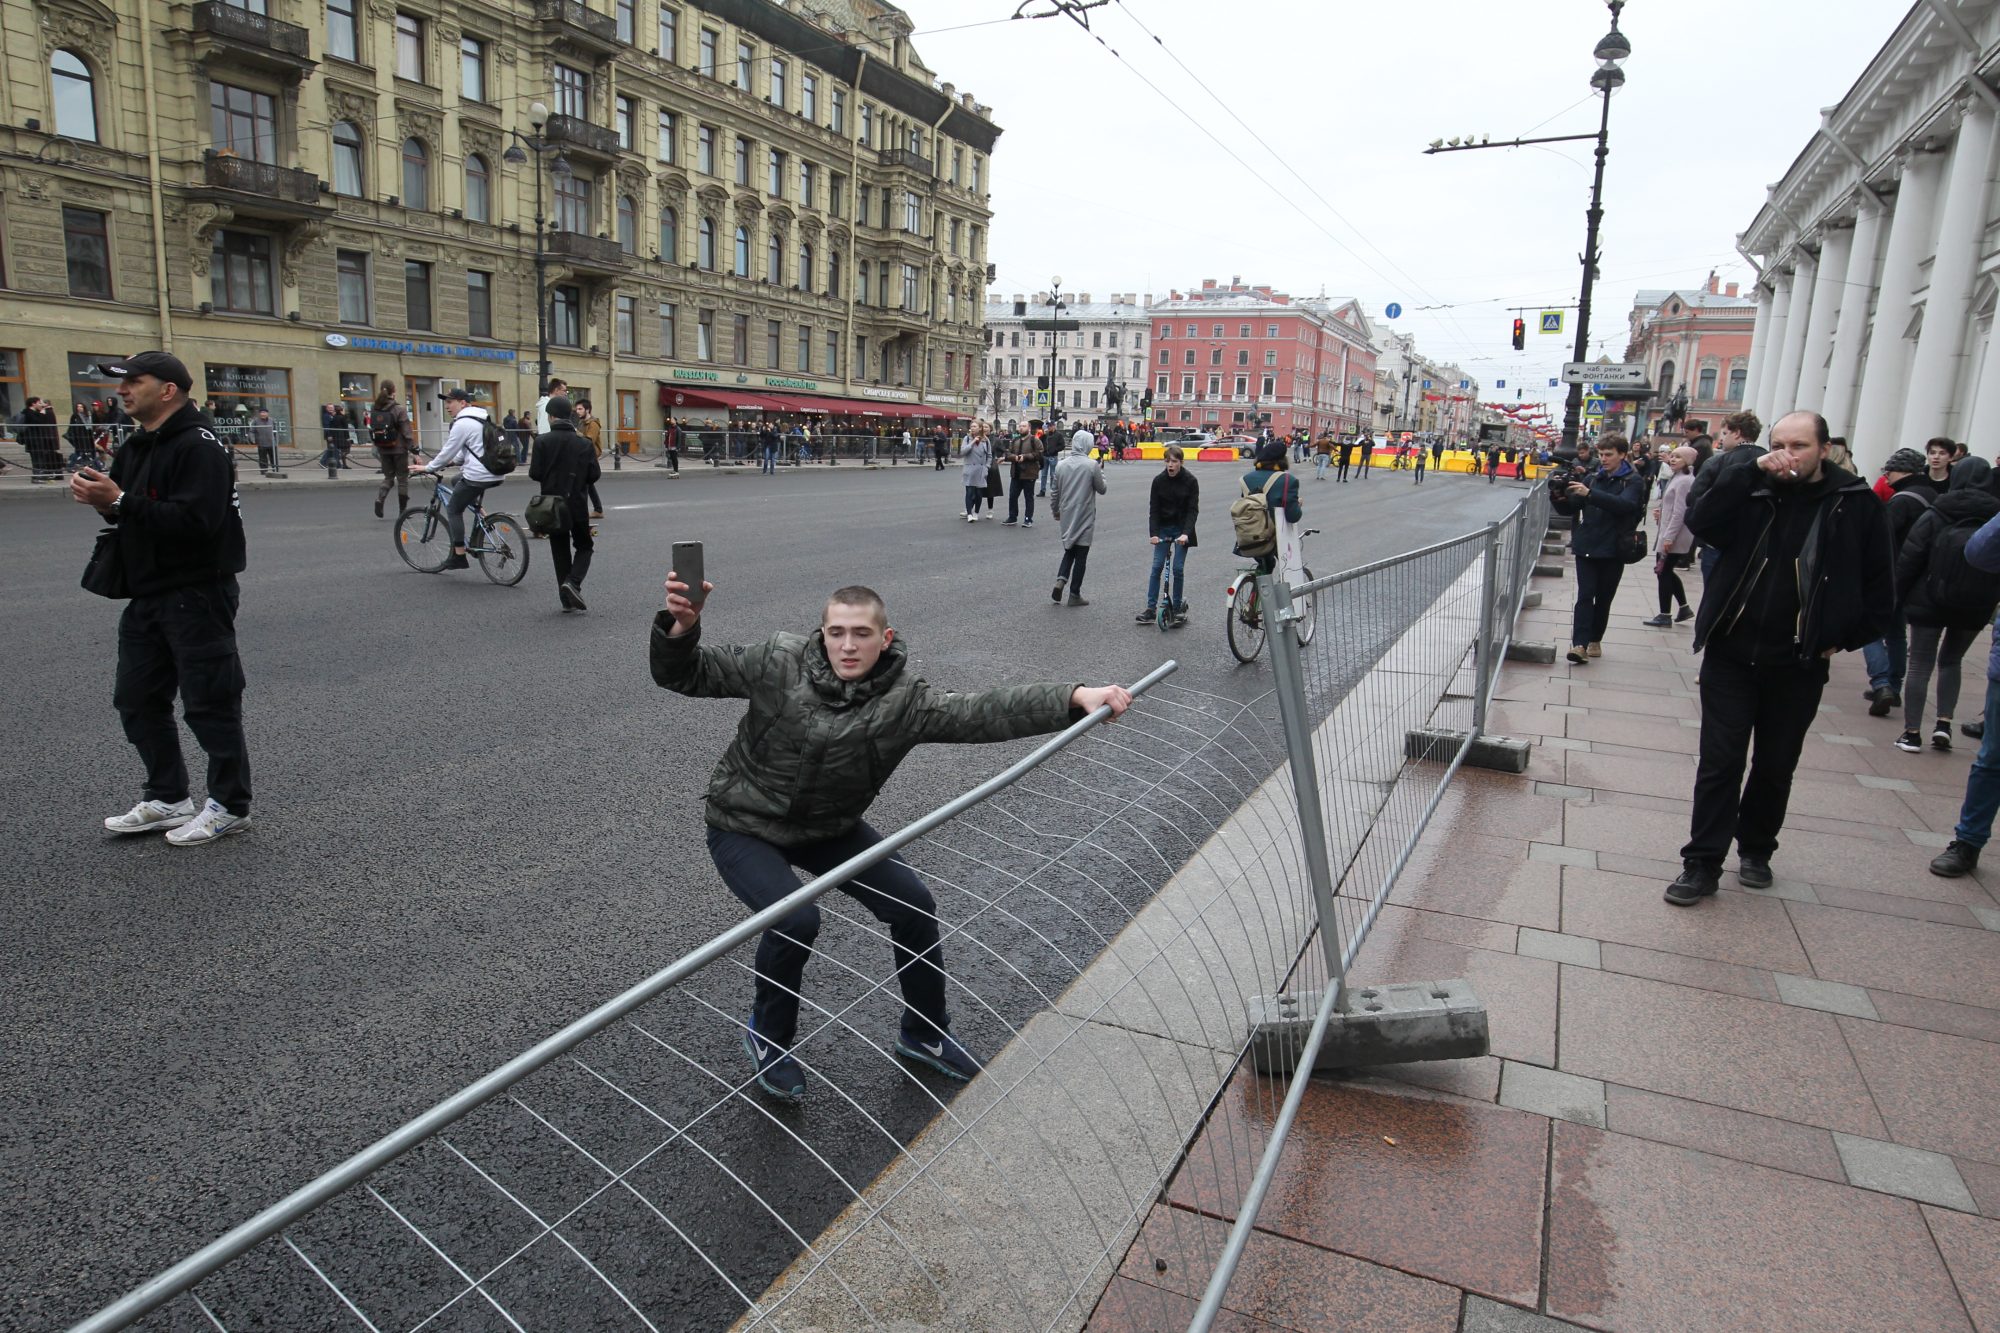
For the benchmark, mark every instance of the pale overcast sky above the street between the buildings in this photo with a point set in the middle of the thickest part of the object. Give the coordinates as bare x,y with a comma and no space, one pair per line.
1107,183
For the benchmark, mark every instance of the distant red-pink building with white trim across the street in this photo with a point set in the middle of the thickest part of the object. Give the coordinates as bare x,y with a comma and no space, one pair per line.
1233,357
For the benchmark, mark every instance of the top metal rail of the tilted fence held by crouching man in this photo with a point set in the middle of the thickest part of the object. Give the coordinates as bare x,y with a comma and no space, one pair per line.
353,1172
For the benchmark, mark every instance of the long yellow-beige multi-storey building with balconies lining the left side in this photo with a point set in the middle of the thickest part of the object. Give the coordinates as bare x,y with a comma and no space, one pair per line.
743,199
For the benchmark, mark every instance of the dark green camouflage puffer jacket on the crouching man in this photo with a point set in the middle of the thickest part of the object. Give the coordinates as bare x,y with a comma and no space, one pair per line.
813,752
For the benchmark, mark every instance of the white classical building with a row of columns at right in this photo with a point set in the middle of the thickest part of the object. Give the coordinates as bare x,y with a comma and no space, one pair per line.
1879,249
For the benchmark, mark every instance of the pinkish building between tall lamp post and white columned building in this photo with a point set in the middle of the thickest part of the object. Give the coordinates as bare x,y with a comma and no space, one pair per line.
1695,343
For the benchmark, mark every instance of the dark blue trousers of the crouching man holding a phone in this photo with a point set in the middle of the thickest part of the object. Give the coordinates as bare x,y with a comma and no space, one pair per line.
761,874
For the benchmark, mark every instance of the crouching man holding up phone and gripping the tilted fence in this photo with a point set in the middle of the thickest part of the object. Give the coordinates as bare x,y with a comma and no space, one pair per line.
831,718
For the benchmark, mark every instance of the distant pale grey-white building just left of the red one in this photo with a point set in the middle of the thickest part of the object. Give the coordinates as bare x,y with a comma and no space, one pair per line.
1085,369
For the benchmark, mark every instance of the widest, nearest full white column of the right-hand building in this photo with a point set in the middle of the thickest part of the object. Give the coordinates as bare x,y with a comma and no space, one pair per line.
1941,347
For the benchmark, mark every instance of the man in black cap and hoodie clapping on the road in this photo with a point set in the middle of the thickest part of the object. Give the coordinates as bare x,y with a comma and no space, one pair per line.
171,497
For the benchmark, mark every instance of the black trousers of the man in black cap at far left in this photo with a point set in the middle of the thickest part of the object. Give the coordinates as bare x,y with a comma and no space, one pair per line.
185,641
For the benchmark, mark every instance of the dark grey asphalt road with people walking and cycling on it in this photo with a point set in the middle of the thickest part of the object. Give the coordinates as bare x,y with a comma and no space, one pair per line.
477,818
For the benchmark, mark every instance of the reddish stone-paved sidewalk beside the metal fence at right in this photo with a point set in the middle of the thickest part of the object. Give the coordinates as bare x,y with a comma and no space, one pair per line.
1769,1112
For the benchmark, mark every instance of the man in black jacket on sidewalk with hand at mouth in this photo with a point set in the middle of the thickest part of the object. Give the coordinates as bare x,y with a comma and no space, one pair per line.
1803,573
